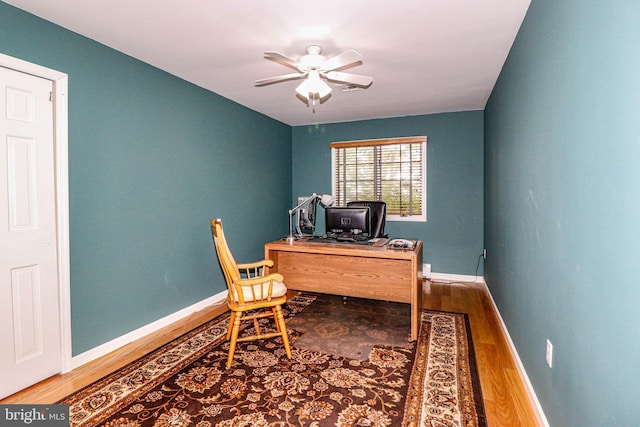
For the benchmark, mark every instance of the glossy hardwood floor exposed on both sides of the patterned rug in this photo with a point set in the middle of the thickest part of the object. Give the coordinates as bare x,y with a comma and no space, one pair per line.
506,400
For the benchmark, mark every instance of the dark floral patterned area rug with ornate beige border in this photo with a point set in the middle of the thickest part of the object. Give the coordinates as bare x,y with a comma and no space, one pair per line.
431,382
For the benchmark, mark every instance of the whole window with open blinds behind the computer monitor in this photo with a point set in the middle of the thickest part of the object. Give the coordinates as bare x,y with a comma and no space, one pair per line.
392,170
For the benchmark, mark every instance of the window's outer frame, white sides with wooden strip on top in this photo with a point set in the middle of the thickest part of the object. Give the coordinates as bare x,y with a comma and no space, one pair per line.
422,140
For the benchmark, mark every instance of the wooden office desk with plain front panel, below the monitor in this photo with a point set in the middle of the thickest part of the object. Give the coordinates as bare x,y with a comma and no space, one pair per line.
374,272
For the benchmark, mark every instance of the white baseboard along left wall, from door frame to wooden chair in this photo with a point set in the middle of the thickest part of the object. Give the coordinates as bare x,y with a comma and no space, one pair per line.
116,343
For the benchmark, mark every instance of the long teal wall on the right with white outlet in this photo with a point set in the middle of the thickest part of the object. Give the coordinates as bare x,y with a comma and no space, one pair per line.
562,203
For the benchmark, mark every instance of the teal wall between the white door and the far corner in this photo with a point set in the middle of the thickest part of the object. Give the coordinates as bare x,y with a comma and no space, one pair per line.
152,159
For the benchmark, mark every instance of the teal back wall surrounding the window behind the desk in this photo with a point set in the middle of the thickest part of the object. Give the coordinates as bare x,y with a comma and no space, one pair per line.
453,233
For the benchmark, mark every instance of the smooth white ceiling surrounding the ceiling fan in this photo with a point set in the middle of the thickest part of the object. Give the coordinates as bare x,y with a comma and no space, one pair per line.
425,56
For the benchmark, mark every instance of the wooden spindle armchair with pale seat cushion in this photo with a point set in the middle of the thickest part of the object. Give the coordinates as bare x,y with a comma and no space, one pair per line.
250,290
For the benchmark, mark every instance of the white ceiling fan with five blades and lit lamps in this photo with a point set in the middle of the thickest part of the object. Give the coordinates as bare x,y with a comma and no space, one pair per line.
315,68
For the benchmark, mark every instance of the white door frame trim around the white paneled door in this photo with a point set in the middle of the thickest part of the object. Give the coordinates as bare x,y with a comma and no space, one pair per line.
61,158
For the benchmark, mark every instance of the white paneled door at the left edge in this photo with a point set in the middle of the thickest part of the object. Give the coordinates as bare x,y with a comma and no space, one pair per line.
30,337
